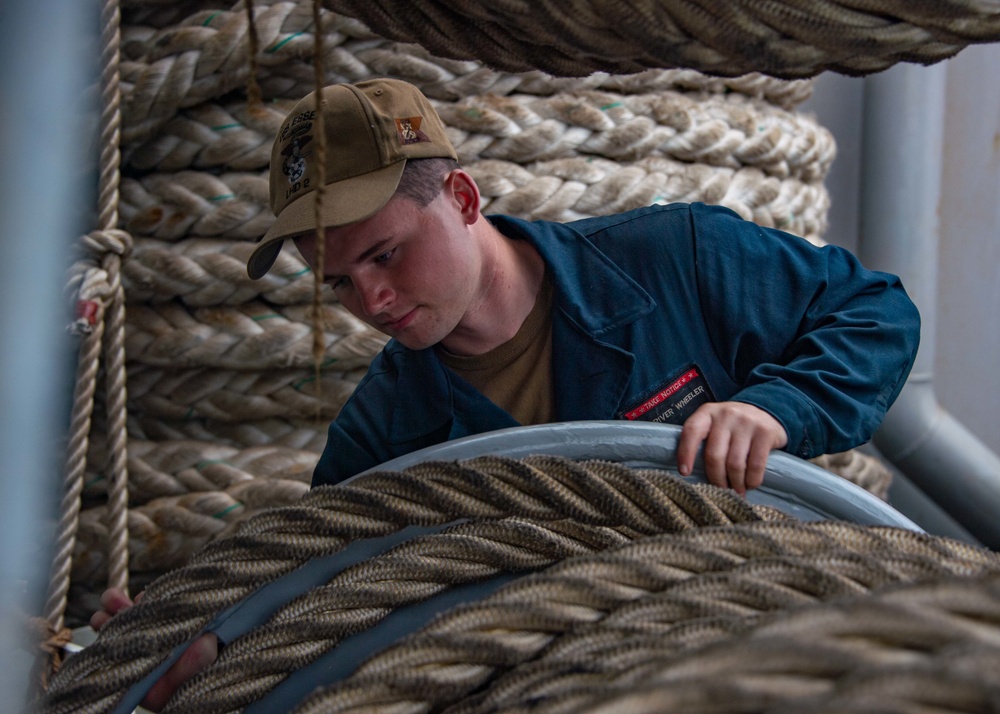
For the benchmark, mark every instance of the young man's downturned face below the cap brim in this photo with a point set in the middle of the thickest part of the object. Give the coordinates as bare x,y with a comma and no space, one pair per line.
407,271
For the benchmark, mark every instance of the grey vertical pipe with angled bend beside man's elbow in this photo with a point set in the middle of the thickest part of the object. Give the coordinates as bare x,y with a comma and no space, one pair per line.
902,149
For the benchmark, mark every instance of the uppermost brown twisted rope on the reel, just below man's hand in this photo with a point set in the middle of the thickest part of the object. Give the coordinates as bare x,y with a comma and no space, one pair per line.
596,495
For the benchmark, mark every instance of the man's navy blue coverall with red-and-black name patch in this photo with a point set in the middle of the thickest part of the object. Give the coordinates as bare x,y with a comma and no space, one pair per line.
654,312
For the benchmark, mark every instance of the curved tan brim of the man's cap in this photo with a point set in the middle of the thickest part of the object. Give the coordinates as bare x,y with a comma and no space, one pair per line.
344,202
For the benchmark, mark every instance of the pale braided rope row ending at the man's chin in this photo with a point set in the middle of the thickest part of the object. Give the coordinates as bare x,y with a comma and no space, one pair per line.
251,336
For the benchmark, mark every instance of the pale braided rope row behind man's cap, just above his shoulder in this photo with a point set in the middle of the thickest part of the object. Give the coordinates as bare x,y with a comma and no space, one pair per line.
174,207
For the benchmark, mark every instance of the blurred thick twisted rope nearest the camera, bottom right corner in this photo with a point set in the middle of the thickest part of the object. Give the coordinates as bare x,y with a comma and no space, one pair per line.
911,647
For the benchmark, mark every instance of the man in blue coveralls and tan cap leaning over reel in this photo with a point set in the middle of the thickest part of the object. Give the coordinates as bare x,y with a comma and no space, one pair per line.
751,338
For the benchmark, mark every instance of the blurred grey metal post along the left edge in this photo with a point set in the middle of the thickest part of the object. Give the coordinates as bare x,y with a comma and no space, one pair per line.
46,50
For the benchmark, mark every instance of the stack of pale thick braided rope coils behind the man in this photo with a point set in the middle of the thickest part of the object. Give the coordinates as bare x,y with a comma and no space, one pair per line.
218,364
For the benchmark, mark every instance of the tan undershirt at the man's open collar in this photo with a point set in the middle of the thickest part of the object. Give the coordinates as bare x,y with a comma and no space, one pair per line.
517,375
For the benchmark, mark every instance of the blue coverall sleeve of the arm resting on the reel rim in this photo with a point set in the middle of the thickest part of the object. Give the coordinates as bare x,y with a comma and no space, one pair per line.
815,339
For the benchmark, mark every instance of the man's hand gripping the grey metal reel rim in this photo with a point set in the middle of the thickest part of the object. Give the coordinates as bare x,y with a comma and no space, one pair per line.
737,436
